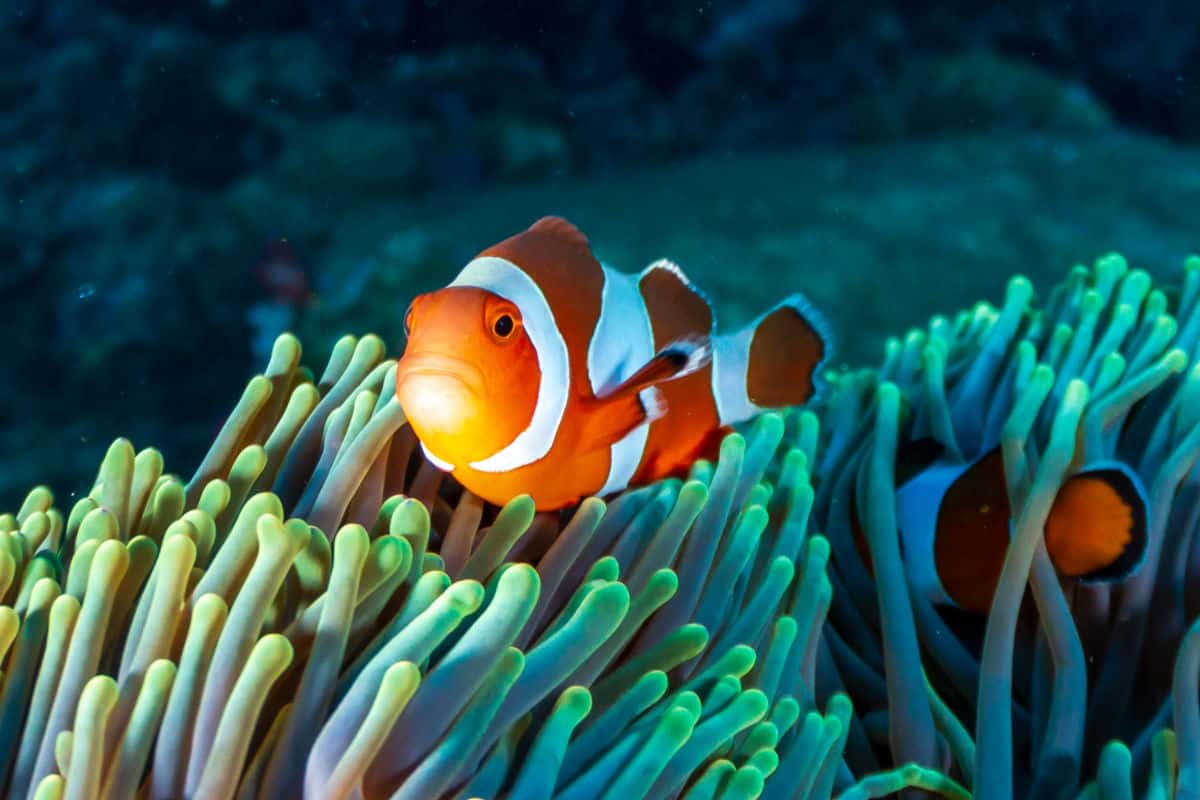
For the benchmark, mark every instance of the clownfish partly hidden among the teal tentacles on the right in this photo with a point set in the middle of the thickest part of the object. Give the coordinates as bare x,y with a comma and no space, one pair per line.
955,524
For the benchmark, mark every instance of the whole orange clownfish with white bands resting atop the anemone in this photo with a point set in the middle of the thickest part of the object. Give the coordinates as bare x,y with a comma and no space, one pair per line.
541,371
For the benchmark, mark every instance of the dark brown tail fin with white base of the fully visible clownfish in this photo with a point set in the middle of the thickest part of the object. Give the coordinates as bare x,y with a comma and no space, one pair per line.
773,363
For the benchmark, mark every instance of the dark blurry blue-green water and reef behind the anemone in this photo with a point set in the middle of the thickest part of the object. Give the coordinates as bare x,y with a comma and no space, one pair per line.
184,181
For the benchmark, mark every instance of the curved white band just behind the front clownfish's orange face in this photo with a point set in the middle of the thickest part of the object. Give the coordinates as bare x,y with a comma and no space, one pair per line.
507,280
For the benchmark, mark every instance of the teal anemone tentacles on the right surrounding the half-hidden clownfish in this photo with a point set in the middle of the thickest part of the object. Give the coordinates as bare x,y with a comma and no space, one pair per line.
1108,371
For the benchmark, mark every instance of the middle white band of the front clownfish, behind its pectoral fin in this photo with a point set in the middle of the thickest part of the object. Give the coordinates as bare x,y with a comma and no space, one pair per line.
622,342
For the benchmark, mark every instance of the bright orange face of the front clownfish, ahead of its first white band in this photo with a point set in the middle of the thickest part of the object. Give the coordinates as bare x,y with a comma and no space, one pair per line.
470,377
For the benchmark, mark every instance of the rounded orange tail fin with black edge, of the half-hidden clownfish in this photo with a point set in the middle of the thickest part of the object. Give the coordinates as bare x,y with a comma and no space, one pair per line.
1097,527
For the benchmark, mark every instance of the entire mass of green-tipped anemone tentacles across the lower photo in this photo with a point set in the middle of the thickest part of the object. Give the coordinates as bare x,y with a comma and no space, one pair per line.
321,613
